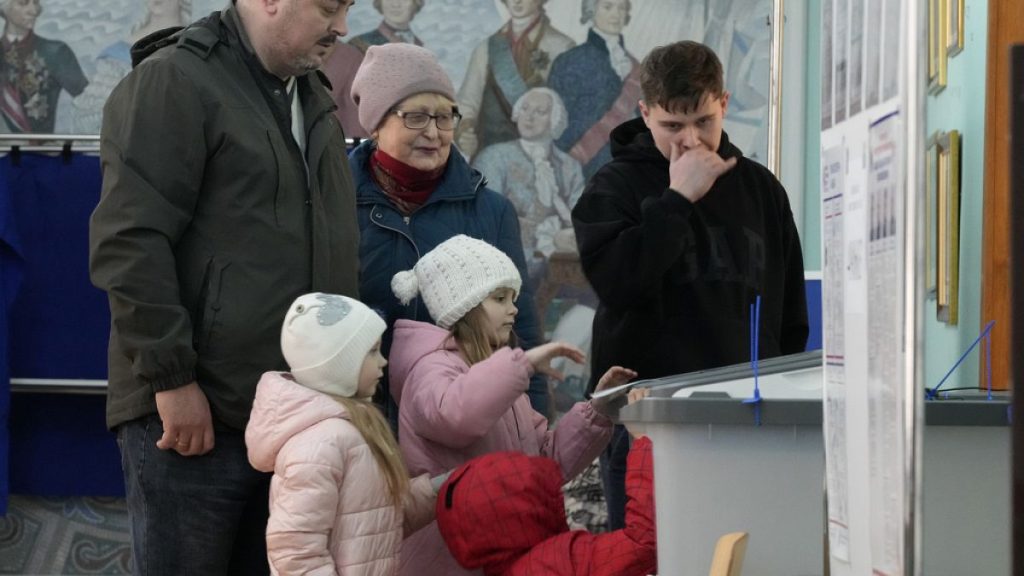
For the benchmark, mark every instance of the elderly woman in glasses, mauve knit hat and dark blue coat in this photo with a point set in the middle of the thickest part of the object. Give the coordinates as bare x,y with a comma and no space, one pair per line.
414,191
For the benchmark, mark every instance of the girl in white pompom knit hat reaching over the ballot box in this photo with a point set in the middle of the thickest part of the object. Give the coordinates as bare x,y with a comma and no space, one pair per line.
461,385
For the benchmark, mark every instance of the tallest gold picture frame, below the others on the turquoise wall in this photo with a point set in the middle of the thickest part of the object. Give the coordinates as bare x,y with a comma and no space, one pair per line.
949,215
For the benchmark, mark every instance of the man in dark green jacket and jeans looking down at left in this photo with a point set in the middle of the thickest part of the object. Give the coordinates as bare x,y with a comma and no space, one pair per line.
227,194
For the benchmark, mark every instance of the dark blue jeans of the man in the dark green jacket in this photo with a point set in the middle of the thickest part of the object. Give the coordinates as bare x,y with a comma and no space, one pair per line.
198,515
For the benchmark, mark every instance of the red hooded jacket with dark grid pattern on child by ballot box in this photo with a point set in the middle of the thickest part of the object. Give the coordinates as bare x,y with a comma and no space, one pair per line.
505,513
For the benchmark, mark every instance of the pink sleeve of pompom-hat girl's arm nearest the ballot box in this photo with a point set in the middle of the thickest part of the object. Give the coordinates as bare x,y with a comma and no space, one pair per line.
578,438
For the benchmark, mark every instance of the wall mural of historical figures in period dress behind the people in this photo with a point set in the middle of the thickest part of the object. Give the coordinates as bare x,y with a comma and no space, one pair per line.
540,85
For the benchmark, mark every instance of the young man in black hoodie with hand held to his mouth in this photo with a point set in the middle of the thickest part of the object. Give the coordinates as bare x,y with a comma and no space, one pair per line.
679,234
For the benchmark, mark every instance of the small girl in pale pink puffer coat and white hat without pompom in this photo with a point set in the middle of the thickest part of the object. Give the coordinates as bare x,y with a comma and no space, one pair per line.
342,500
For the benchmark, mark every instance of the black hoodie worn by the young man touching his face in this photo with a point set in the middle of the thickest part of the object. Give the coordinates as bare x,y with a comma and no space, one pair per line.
675,279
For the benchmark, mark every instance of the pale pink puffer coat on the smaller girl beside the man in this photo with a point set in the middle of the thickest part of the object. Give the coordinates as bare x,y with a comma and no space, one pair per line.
330,510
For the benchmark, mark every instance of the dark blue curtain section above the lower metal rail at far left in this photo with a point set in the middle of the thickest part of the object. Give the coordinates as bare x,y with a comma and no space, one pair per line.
60,323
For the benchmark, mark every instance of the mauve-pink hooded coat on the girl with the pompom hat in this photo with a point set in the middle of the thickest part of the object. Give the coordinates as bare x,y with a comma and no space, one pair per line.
450,413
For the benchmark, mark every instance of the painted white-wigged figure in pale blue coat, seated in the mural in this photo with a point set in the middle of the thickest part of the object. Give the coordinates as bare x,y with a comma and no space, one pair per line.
542,182
